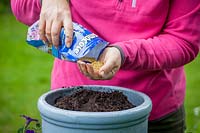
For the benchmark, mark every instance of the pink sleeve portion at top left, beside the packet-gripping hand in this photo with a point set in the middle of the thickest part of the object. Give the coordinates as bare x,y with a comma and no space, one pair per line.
26,11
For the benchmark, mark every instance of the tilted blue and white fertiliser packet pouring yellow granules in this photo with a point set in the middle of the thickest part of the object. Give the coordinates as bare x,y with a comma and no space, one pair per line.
84,44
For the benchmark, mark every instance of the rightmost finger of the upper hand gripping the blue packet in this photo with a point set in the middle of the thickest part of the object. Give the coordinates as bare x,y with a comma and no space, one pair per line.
68,26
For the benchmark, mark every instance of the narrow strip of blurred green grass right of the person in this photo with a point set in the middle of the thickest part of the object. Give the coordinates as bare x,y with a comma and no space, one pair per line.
192,102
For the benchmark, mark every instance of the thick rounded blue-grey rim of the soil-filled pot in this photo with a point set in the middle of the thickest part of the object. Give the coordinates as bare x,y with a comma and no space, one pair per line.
67,116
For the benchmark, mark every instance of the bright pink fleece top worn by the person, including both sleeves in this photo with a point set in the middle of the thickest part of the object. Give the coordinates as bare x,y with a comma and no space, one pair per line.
157,37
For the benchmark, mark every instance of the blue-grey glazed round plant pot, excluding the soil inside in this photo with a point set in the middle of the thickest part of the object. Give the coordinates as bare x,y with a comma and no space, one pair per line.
55,120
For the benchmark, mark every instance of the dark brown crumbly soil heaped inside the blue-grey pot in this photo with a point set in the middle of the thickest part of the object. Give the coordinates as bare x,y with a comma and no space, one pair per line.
94,101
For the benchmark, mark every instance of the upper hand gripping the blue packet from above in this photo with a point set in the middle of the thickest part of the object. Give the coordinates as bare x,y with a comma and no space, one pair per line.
54,15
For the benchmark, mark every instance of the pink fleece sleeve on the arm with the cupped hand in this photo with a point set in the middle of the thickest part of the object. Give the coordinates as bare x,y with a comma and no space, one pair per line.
176,45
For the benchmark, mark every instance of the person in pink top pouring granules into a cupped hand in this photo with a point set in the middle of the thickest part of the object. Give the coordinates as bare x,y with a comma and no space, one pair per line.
150,42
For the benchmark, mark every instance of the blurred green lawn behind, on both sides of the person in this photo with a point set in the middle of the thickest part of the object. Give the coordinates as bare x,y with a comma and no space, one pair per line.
25,75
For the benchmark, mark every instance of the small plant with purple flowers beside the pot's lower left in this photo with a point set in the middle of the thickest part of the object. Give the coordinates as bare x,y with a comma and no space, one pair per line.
35,127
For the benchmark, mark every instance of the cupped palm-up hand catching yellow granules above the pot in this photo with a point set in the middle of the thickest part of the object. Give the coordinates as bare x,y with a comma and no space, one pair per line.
111,57
